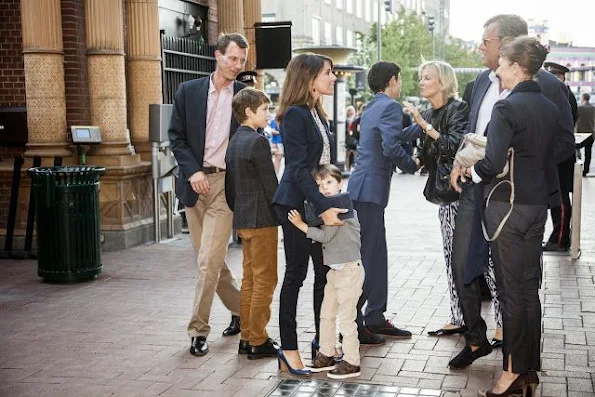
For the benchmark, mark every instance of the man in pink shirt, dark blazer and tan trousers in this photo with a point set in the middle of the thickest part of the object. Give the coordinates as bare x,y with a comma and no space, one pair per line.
199,130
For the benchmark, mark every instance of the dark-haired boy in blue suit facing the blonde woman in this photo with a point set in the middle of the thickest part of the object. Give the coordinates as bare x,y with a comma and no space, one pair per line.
379,152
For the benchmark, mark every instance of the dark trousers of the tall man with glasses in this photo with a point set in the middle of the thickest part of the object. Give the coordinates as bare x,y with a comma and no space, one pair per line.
469,294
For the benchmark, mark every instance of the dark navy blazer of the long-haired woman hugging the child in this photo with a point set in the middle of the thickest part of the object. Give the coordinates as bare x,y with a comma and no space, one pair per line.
303,148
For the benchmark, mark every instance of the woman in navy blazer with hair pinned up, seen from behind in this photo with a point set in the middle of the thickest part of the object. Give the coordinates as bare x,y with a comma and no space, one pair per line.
526,121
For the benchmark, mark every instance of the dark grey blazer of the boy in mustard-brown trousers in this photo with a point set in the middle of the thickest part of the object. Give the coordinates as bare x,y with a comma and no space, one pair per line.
250,180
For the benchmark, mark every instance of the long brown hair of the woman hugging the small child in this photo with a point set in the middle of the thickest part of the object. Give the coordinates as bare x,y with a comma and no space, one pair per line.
301,73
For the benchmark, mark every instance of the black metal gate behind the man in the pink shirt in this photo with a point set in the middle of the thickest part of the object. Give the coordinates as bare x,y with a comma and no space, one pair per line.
183,60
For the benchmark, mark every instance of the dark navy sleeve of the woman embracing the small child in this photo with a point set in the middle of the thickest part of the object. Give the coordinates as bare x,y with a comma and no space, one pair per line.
294,128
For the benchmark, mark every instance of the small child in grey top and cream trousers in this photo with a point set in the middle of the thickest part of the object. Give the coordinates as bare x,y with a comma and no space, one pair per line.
341,252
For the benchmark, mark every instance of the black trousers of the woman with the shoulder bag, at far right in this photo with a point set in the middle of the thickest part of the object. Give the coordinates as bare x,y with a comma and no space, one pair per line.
517,256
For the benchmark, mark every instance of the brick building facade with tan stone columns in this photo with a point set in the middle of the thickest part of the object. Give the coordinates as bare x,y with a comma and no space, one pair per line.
94,62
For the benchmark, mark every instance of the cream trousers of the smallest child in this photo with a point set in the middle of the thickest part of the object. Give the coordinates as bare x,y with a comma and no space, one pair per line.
341,293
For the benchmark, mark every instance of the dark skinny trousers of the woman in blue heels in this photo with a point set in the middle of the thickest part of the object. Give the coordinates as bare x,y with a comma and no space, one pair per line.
298,250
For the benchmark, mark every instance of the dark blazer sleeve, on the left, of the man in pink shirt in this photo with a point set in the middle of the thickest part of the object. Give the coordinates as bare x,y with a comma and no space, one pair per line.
177,135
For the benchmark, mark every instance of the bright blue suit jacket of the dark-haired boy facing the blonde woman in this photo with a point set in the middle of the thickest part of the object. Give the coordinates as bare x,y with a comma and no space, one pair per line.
379,151
